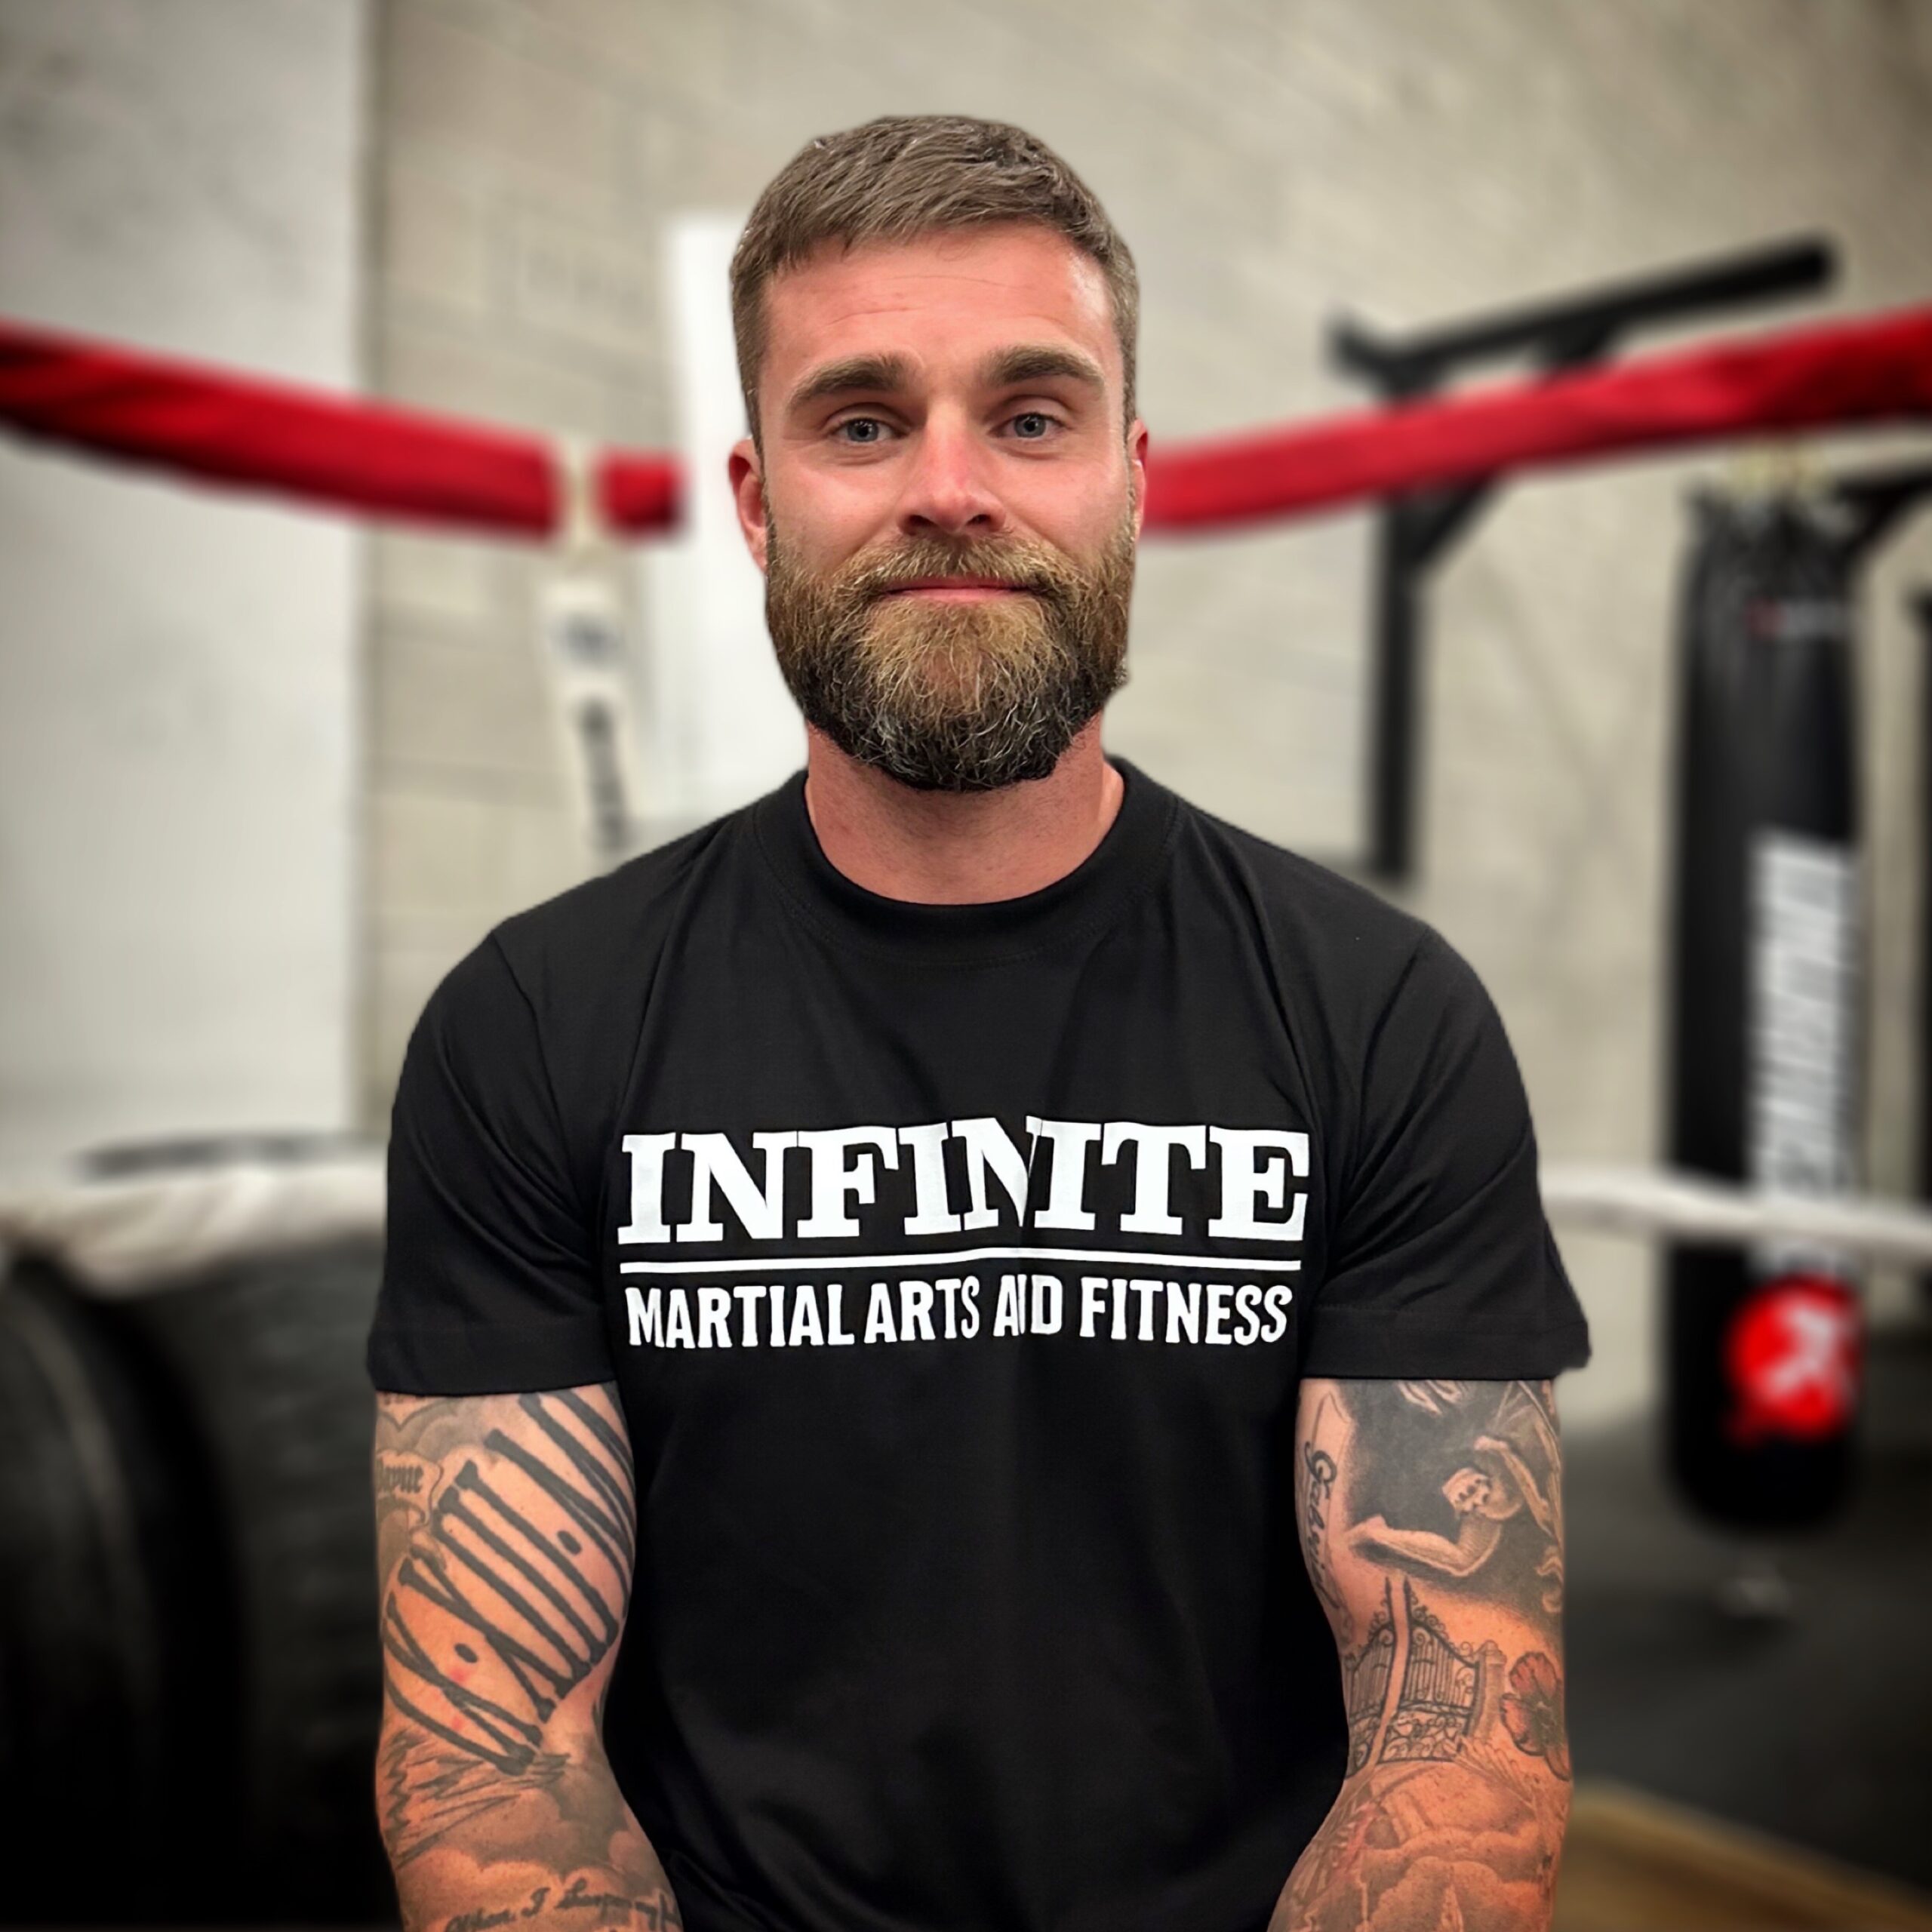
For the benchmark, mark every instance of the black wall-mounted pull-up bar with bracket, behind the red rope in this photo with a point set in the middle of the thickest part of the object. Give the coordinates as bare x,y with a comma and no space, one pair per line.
1564,333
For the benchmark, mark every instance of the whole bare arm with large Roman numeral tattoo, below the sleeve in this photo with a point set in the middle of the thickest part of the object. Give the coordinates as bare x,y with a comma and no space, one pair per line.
507,1537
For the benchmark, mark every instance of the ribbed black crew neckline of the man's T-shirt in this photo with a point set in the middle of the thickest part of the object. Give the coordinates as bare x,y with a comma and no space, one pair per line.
1069,909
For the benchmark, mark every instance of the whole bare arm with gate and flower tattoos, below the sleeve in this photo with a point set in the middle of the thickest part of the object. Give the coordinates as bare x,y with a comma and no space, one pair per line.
1433,1527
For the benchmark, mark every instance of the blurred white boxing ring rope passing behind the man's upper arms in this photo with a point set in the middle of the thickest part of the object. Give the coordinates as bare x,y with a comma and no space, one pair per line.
128,1234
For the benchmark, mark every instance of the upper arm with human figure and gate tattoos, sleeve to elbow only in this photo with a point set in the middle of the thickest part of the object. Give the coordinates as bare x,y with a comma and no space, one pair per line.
1431,1518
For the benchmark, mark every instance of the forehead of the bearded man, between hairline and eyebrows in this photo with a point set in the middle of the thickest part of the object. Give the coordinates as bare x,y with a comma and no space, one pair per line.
938,298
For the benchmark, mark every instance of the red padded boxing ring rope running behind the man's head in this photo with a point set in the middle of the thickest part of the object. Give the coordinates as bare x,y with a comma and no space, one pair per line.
382,461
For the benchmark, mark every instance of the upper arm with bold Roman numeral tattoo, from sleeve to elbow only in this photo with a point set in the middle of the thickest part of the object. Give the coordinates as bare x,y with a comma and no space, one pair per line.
507,1541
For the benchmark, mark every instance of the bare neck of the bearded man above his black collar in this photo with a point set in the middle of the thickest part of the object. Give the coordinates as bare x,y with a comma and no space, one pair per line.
959,849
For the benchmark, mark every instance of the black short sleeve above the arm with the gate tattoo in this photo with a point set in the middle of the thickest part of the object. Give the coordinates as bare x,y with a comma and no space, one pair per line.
1442,1263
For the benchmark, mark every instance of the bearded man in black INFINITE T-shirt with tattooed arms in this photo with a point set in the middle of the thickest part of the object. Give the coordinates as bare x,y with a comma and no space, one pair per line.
992,1272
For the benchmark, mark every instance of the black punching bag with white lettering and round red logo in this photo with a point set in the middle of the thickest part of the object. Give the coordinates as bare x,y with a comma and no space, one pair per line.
1765,1344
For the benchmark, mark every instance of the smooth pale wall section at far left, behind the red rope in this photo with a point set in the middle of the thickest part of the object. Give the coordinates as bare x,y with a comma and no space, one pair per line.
179,834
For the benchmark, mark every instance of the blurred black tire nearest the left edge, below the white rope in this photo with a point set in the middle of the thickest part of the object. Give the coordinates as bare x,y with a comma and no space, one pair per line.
117,1709
